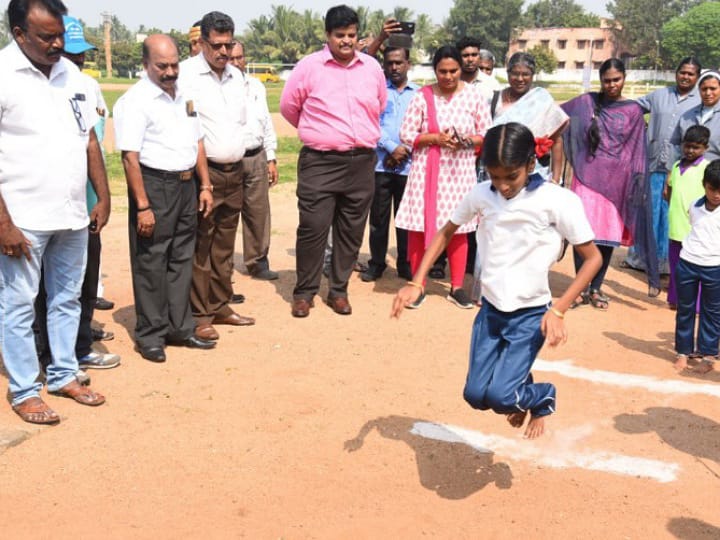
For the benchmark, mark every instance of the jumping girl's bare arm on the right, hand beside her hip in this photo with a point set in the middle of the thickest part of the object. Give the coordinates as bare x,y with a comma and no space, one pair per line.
552,325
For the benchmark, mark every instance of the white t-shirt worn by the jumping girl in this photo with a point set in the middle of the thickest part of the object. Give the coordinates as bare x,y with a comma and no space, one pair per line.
519,239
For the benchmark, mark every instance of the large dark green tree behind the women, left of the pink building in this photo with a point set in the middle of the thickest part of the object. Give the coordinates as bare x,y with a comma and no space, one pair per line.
489,20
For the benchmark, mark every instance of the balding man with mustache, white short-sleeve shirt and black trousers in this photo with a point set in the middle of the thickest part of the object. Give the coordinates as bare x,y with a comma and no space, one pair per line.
162,147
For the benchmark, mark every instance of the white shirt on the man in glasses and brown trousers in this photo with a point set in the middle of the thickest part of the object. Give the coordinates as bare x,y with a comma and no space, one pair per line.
221,107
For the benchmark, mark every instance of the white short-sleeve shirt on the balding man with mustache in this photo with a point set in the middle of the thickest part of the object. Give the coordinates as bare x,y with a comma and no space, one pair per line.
163,130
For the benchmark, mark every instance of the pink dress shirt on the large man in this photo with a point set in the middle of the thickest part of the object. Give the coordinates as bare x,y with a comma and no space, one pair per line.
335,107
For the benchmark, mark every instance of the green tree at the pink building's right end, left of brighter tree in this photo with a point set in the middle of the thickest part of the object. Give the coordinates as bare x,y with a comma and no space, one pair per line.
639,23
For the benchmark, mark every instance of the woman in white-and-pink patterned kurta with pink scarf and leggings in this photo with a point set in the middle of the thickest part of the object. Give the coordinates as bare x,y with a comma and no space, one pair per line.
444,123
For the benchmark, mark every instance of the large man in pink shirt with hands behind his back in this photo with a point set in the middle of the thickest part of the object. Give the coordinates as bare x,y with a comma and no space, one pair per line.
334,97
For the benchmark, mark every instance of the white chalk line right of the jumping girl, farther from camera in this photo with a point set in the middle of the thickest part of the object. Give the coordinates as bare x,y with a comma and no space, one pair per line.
626,380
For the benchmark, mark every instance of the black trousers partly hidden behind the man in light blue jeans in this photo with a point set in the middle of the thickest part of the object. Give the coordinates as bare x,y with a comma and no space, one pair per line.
88,295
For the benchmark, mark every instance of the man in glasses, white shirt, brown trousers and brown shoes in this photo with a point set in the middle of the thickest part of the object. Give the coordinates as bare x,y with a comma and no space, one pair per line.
217,90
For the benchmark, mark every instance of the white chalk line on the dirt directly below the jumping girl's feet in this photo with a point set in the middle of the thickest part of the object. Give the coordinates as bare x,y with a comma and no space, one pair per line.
551,454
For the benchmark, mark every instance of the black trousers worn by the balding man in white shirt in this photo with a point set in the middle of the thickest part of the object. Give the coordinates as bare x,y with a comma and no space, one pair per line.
161,264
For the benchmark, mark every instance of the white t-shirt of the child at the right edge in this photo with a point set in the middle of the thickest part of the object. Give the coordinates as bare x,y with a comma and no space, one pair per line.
702,244
